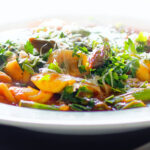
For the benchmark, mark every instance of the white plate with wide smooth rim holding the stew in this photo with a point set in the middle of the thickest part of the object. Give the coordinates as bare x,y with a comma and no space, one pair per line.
77,122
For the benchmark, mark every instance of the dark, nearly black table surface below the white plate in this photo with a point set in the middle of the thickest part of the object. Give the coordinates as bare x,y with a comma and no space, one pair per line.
20,139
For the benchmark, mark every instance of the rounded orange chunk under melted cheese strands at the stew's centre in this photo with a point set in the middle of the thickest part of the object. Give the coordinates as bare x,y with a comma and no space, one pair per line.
70,63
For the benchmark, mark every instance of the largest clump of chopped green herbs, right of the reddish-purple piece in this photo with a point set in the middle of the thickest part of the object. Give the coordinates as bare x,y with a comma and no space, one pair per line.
113,72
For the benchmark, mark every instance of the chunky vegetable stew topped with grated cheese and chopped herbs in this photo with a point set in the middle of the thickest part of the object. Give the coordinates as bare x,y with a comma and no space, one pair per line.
67,67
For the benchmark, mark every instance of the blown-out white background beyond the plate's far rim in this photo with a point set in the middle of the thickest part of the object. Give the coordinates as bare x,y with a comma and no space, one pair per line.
20,9
